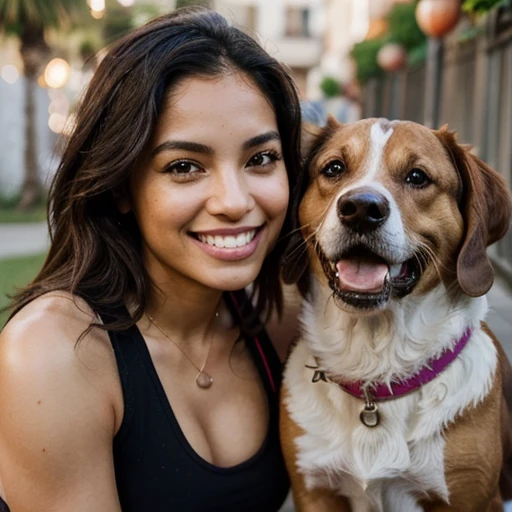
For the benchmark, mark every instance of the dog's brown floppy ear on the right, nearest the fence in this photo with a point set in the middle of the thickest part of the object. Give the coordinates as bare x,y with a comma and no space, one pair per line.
486,208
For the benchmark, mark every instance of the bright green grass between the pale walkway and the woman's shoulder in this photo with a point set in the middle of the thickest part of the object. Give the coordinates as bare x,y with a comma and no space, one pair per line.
14,274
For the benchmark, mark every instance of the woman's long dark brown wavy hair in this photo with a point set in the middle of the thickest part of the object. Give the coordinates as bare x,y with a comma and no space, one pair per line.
95,251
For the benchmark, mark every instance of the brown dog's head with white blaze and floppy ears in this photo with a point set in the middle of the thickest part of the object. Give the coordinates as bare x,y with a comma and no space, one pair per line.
390,209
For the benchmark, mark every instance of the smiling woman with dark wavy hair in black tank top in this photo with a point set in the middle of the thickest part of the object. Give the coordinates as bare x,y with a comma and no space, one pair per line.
134,372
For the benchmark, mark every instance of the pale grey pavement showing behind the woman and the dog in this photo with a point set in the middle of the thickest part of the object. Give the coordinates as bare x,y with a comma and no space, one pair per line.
25,239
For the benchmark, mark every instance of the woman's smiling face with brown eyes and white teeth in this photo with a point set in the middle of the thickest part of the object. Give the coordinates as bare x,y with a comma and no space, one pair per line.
210,195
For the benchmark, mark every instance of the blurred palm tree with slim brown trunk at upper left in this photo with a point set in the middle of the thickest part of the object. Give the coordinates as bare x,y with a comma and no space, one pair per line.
29,20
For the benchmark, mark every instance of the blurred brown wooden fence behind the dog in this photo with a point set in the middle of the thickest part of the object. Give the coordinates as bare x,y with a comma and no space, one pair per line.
475,100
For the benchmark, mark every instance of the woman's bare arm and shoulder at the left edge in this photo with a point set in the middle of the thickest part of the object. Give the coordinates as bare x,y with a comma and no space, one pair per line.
57,408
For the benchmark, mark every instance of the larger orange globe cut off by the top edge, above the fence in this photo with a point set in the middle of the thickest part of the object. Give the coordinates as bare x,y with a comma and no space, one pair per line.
437,17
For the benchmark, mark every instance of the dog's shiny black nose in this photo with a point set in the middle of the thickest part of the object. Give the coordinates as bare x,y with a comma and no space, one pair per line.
363,209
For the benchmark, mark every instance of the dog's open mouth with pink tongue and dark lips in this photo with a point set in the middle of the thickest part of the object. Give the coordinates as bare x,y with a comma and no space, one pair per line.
365,280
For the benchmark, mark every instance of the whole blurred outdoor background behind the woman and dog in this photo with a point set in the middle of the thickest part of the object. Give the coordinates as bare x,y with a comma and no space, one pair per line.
430,61
